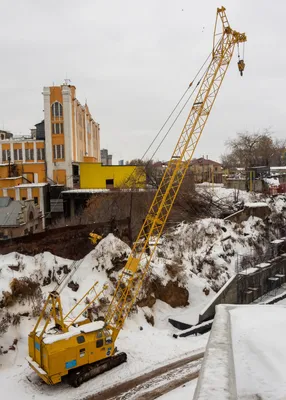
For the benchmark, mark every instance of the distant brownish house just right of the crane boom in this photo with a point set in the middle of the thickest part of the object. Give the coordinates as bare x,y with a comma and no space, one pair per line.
206,170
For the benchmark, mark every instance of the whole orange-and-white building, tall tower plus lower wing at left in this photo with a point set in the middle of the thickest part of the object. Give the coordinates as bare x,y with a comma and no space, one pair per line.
69,136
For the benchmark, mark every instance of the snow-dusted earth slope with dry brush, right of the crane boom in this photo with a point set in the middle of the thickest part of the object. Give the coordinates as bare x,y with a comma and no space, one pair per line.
208,249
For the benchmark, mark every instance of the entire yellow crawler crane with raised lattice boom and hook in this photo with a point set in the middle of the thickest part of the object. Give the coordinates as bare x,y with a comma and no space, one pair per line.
83,350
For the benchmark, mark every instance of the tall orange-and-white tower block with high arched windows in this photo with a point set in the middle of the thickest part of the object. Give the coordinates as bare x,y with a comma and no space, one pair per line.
71,134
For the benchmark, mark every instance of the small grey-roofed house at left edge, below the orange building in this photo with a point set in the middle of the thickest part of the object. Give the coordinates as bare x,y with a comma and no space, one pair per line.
19,218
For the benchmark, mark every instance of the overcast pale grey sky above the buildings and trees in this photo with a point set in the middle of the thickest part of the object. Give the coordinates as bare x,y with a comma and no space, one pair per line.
132,60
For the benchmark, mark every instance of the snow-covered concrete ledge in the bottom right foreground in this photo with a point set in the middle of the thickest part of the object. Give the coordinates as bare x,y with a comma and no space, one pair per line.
245,354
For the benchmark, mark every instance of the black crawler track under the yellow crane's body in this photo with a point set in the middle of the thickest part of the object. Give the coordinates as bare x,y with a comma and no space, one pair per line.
87,372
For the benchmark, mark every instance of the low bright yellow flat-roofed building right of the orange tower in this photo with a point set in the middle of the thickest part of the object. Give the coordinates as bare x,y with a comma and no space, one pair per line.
97,176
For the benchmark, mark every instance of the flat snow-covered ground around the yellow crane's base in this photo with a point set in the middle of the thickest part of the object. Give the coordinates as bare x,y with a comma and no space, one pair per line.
147,349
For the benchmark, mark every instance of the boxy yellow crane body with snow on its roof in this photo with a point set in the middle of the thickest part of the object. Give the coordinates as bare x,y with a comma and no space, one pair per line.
59,354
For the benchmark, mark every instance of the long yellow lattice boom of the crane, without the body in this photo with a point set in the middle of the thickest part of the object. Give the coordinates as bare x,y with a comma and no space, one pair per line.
138,263
